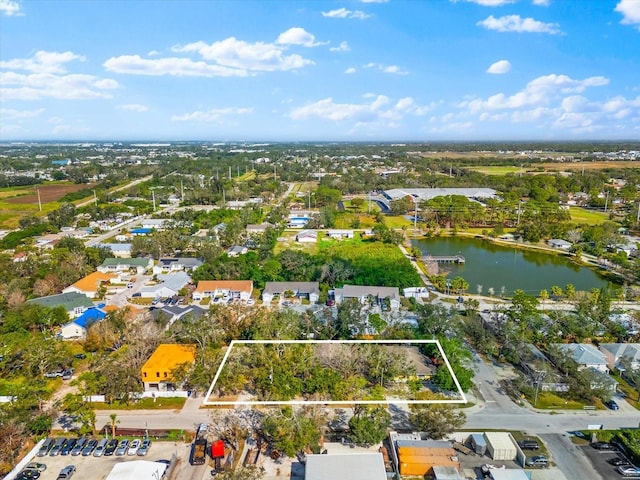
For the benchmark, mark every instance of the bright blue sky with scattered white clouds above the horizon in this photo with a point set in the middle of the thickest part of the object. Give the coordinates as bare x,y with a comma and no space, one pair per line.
368,70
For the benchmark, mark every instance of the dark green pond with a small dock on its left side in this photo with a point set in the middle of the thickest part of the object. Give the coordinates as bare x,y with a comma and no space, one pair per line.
505,269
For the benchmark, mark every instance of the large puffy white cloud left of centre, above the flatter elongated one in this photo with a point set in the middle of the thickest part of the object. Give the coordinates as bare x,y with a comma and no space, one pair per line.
234,53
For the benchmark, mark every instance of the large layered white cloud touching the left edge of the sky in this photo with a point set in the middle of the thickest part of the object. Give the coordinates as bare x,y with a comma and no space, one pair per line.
50,79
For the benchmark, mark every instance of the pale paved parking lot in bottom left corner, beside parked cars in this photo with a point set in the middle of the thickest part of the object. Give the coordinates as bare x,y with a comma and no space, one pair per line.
97,468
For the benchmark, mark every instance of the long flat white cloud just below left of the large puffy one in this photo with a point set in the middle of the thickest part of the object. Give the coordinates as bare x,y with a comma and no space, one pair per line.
179,67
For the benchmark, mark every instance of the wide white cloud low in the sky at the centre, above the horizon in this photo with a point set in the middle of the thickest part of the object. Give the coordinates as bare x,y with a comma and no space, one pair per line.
379,110
